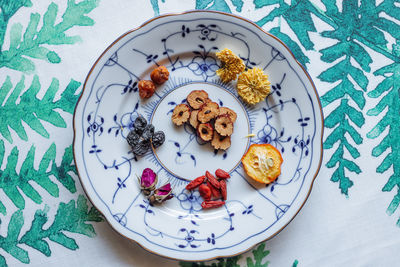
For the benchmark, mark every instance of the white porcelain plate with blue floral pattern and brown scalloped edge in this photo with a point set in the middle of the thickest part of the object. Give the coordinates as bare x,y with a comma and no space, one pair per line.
290,119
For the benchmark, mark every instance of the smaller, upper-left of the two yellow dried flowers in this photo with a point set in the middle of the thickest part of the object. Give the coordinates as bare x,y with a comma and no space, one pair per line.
232,65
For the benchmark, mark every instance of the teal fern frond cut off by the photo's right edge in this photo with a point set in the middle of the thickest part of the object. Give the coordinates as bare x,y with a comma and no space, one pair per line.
389,91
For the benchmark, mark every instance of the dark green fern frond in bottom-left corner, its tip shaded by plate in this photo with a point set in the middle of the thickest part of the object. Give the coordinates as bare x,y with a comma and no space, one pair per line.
71,217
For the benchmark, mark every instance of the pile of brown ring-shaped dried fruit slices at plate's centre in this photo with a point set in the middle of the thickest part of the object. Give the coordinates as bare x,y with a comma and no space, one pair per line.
212,122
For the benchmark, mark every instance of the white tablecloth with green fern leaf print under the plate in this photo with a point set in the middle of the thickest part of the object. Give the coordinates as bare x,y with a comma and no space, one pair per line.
351,50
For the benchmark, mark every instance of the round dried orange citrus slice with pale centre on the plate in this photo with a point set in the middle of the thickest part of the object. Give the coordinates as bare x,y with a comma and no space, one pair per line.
262,162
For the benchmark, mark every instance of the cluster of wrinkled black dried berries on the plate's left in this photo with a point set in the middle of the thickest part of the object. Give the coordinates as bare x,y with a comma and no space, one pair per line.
143,136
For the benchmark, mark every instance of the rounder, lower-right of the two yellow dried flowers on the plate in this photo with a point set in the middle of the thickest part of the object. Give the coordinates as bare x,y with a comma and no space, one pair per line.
253,85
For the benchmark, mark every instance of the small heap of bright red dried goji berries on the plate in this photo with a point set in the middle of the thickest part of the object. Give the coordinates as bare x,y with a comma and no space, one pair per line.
211,189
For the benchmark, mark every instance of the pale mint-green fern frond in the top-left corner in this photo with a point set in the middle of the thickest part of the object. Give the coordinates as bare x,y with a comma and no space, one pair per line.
33,43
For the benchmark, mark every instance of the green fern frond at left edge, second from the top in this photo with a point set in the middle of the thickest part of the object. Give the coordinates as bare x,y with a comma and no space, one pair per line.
32,110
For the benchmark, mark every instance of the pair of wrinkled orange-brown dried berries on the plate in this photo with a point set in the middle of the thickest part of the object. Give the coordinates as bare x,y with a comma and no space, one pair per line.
158,76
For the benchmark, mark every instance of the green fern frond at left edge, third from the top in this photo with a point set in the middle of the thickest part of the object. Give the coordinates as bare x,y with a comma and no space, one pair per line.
11,181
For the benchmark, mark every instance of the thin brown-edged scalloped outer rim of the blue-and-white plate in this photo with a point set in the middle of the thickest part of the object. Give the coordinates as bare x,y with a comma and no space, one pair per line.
172,14
